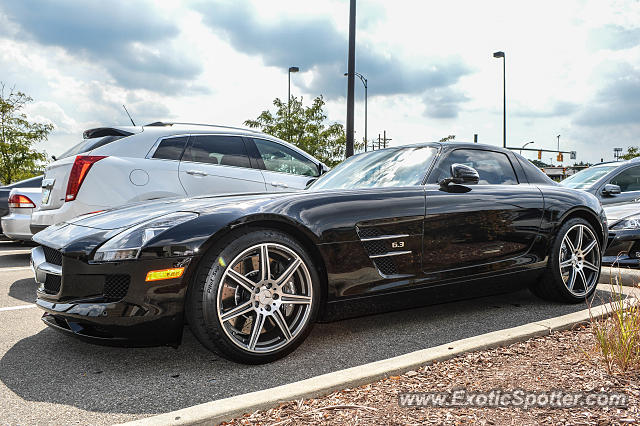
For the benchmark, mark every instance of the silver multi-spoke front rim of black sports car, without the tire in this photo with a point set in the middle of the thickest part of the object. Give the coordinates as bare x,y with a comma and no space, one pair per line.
264,298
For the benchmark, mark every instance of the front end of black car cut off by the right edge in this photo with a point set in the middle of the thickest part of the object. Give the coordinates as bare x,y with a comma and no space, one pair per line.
624,235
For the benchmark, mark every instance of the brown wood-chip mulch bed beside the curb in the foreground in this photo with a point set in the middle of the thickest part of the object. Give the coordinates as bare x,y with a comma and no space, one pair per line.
562,361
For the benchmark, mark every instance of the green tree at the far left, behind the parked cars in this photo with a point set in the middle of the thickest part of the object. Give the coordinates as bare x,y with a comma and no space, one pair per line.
18,159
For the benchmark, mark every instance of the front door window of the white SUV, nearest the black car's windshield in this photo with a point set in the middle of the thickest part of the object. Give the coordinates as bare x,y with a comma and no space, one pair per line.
279,158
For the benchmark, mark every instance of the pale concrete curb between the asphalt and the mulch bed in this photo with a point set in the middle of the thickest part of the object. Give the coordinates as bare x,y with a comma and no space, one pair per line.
221,410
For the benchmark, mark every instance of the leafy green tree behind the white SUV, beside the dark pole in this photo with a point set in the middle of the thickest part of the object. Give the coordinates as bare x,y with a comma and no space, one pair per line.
306,128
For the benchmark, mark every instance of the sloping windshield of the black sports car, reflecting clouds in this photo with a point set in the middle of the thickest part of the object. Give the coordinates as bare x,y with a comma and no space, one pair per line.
385,168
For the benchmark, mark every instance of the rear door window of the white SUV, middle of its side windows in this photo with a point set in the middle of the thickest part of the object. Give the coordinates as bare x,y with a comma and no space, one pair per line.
217,149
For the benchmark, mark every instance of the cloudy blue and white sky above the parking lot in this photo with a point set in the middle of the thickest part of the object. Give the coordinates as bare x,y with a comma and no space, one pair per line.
573,66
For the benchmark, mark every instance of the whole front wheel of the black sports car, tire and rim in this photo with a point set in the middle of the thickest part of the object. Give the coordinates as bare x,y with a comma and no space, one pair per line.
255,298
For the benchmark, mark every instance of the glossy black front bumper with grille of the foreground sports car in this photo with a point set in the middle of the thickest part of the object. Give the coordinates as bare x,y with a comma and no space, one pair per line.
111,303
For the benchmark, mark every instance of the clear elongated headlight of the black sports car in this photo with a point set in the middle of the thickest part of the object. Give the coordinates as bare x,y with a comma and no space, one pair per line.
127,244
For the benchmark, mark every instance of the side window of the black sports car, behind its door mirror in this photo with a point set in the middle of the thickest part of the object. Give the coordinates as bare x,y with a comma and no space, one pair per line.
494,168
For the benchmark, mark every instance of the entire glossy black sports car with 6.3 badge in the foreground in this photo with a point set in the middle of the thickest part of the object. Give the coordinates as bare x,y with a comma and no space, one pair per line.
384,230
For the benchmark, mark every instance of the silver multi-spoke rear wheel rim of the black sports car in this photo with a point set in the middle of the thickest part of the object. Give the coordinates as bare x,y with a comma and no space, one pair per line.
579,260
